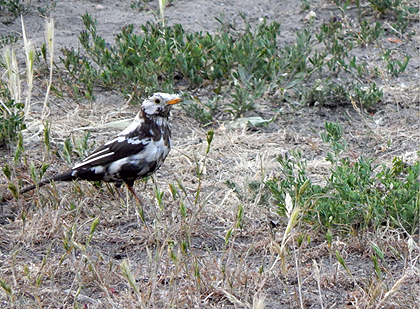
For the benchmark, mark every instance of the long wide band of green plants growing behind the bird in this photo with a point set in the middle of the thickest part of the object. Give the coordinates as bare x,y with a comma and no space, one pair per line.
246,62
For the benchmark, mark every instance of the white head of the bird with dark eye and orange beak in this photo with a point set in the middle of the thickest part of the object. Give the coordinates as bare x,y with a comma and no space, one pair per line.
159,104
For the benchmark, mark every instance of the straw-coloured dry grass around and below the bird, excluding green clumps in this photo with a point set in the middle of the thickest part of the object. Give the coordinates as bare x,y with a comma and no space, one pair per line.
210,245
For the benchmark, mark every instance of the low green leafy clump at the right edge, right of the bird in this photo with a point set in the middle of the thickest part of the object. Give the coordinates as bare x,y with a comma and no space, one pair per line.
358,195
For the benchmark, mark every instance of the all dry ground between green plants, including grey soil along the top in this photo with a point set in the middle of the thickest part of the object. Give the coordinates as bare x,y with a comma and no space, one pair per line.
249,268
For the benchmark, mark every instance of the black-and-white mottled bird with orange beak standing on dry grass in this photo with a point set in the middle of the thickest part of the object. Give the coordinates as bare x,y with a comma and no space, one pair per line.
135,153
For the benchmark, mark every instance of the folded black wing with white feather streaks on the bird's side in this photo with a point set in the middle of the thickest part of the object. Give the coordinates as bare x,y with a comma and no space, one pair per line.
119,148
